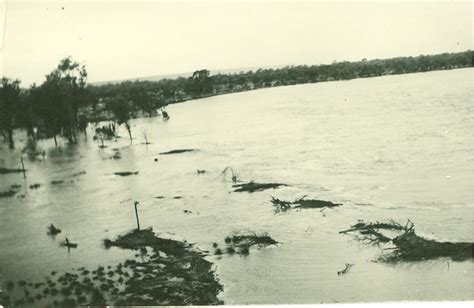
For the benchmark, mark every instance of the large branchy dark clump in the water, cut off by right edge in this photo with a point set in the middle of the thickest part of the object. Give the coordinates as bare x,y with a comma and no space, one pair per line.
408,246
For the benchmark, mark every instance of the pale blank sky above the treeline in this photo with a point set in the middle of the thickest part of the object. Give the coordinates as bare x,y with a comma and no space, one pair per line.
120,40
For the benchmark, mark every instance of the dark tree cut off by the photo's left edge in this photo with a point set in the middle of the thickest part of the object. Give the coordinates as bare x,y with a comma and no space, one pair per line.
9,101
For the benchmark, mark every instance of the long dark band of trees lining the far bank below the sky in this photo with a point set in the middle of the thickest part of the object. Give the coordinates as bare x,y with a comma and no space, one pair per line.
64,104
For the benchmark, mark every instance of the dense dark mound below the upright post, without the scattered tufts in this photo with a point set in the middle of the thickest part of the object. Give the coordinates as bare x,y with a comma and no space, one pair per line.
159,281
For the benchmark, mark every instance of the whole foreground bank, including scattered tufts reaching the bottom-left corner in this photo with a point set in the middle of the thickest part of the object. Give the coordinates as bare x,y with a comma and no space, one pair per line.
166,272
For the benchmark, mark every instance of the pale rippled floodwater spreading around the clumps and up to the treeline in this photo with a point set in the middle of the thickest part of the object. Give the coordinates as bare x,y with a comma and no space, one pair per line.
392,147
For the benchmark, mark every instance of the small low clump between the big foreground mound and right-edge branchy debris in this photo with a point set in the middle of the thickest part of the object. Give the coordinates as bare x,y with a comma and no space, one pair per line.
241,242
